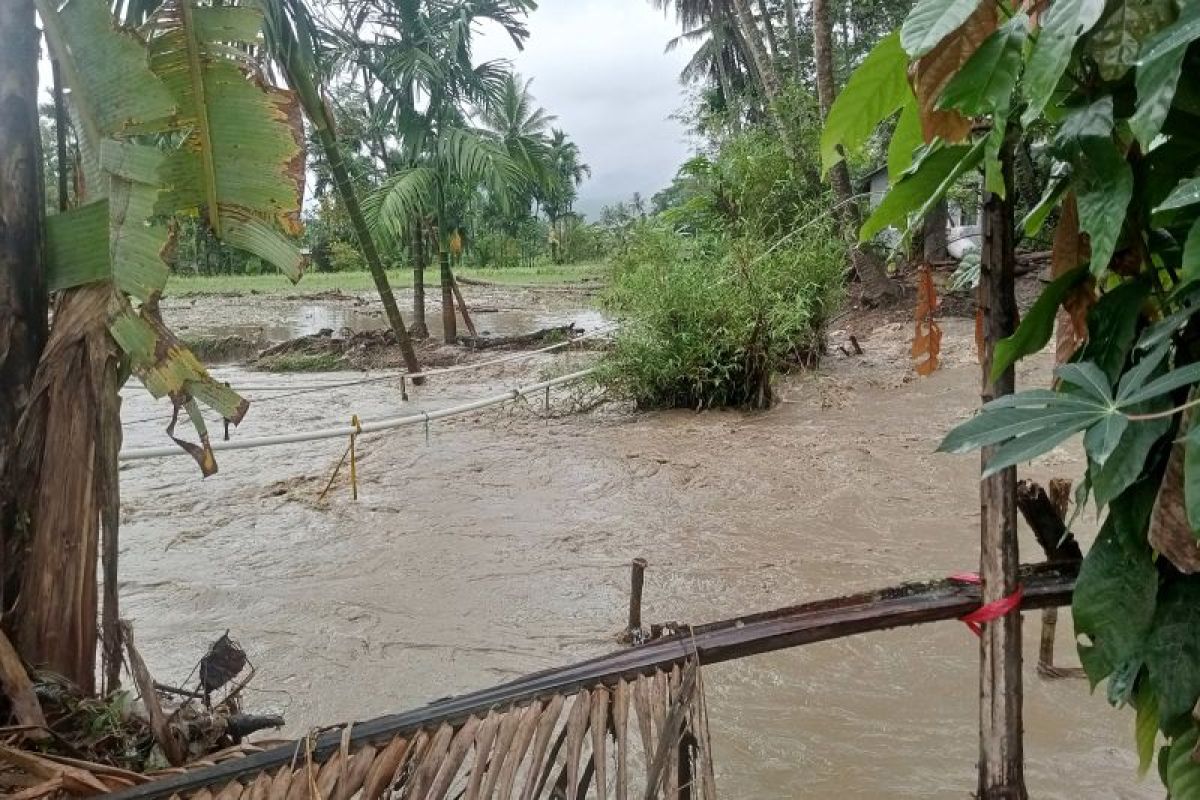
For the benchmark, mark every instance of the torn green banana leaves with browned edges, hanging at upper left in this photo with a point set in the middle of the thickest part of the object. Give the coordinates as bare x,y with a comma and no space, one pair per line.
177,121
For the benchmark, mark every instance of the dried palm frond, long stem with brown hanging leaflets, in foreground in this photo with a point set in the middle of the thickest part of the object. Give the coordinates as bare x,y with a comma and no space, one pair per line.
550,731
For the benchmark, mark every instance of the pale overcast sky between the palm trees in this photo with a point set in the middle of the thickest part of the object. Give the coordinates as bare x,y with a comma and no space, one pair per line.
599,67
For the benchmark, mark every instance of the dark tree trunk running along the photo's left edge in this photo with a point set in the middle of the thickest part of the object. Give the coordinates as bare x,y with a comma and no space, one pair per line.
23,298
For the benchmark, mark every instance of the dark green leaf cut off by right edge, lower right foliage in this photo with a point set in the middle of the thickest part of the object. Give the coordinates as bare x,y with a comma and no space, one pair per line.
1173,649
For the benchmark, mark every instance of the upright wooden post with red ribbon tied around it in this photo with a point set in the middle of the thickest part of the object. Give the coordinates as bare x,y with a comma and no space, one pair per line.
1001,756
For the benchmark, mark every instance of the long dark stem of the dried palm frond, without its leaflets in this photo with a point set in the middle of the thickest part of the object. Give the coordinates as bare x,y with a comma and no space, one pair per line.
1046,586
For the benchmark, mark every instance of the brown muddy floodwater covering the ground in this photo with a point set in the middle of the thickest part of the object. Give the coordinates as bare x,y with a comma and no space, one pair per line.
499,544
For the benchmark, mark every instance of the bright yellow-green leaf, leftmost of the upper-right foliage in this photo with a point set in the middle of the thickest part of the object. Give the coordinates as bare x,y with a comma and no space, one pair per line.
875,91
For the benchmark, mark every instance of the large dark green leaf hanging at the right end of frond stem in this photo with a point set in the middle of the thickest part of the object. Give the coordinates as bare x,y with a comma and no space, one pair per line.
1114,604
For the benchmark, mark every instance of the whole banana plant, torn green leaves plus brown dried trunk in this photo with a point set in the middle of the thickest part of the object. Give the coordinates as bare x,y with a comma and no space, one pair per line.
176,119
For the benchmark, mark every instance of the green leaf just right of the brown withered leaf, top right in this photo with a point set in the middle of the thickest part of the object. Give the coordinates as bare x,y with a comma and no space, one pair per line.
985,85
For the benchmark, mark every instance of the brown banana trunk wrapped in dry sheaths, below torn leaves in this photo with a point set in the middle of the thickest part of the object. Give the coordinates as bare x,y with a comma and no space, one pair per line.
67,460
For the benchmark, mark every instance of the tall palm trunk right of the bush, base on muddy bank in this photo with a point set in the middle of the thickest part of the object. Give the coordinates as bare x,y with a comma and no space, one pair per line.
869,269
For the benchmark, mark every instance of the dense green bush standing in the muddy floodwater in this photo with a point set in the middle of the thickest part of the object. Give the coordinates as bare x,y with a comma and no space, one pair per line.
709,320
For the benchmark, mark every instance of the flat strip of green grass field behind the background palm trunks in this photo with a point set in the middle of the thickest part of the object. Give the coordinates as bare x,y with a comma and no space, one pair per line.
362,282
